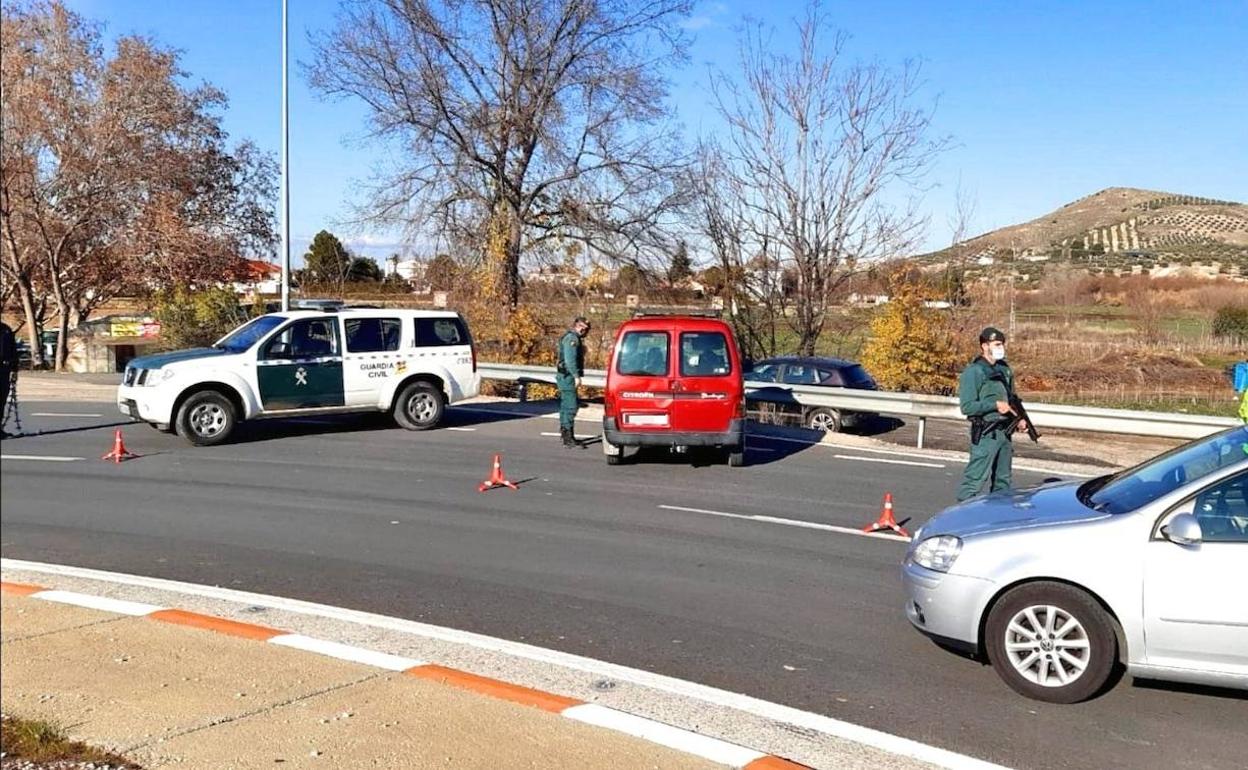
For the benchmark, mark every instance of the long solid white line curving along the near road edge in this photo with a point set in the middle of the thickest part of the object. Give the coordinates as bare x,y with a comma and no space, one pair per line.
837,728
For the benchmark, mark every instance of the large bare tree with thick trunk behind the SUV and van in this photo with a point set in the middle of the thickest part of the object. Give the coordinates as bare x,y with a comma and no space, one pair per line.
516,124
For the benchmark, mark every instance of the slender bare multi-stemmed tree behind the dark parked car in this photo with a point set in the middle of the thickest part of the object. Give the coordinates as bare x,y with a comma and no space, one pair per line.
814,153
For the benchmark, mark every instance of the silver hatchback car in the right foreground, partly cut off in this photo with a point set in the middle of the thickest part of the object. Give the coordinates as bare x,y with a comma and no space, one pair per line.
1060,585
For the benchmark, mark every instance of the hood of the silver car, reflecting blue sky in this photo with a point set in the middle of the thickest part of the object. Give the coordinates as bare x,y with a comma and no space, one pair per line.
1046,506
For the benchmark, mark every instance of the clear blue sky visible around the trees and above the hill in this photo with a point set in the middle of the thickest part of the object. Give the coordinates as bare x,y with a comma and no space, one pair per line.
1046,102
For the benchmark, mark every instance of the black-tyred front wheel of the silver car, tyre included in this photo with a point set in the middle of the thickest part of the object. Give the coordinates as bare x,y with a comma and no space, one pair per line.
1051,642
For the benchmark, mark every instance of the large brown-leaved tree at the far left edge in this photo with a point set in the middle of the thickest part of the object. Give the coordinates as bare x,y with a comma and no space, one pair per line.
115,179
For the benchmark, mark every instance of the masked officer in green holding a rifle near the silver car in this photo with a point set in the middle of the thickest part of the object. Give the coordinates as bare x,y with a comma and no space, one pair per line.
984,391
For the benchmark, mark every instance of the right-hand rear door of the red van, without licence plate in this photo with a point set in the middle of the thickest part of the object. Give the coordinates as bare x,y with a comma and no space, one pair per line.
708,385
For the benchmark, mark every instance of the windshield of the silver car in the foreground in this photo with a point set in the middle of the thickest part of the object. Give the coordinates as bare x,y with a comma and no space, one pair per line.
1138,487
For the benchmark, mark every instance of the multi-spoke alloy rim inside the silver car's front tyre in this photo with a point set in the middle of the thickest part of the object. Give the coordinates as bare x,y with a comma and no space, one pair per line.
1048,646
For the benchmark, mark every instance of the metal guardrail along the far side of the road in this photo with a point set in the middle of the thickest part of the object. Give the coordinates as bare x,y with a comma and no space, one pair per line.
1129,422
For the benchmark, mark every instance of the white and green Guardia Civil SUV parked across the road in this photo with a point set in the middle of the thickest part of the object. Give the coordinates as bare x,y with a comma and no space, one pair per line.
407,363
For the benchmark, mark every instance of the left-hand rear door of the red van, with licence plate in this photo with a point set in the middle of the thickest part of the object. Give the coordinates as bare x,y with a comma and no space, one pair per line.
642,381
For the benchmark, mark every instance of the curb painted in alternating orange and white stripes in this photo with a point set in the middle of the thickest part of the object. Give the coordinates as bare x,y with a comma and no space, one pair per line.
640,727
